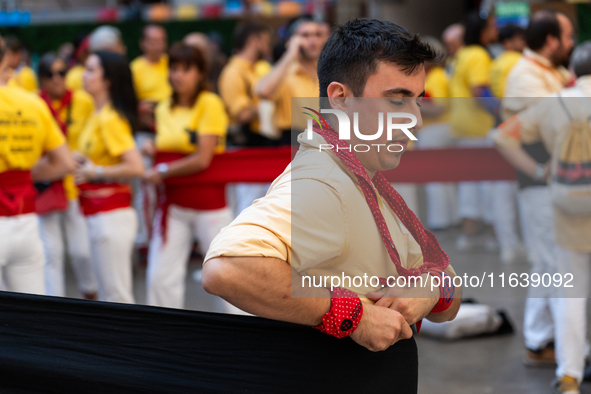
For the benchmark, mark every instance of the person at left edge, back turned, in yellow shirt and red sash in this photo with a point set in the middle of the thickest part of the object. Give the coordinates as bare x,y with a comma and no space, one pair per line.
27,133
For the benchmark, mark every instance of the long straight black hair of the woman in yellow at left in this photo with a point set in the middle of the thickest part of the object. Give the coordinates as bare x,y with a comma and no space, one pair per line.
116,71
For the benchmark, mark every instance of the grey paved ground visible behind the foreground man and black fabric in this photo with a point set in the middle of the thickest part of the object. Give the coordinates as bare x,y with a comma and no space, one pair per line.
469,366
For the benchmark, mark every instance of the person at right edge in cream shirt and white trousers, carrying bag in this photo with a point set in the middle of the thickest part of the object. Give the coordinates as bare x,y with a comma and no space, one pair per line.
549,121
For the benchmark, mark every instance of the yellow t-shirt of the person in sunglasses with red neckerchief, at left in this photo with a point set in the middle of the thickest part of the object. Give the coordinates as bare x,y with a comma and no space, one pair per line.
80,109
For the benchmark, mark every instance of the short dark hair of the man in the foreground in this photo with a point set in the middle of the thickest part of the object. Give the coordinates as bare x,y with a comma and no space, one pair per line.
353,51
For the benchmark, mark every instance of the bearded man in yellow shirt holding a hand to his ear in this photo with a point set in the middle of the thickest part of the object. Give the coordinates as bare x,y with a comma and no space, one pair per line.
294,75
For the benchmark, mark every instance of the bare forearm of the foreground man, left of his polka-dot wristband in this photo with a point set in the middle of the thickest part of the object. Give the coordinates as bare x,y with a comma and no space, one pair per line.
263,286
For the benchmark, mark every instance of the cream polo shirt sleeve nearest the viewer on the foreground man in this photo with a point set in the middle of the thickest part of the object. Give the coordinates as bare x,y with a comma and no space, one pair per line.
300,222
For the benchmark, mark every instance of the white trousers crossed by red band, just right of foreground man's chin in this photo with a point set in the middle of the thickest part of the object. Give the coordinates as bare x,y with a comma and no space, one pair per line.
442,205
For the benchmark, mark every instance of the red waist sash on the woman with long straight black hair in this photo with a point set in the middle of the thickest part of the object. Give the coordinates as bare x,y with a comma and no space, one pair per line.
103,197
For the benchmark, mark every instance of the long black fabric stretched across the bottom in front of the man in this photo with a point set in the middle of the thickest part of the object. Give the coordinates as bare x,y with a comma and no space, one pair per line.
61,345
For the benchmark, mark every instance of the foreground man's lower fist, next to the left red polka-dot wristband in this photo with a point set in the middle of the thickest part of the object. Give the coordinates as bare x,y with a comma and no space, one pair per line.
380,328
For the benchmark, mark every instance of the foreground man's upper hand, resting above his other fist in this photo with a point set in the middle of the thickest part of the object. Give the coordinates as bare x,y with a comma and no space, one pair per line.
414,303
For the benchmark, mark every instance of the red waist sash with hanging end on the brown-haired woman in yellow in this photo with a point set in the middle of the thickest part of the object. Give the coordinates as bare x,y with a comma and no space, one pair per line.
186,191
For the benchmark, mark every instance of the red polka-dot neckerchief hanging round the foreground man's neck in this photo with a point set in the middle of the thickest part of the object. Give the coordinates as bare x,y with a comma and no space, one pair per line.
435,260
